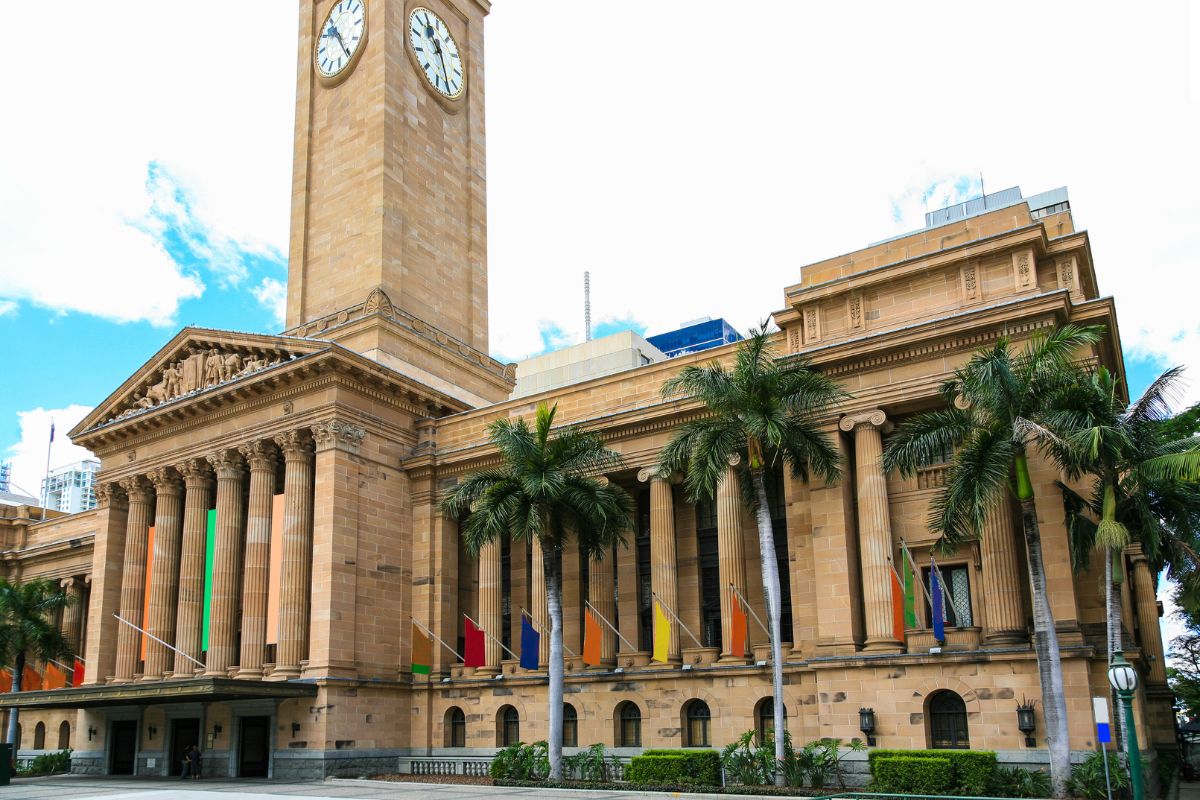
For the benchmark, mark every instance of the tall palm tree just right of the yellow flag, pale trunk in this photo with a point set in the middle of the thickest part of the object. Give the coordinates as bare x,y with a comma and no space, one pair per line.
765,410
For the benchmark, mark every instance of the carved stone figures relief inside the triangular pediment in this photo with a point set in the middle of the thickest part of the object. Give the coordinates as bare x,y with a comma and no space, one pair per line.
196,371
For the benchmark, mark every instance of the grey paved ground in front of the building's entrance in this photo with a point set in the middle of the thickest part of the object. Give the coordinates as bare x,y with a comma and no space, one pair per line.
77,787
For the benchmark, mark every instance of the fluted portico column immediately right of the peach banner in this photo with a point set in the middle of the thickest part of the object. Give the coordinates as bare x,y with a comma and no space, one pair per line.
297,557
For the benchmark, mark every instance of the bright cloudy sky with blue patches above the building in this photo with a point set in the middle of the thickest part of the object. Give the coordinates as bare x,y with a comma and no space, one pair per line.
691,155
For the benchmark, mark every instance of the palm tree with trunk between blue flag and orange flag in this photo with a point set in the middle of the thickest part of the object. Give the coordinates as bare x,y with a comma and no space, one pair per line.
547,489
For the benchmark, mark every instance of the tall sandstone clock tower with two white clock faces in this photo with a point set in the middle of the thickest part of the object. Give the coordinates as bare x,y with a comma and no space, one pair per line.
389,246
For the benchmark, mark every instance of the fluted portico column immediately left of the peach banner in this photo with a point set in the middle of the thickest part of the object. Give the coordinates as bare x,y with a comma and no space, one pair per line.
256,576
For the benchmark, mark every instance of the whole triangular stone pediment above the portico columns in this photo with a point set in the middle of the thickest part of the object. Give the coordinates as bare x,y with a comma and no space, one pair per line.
197,360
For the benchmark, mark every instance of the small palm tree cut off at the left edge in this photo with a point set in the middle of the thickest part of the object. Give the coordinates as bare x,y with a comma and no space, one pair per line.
28,630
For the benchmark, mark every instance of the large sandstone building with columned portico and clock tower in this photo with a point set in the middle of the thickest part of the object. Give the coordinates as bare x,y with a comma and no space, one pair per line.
268,506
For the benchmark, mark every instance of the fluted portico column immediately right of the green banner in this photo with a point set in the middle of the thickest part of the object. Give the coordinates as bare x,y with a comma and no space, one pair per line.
226,562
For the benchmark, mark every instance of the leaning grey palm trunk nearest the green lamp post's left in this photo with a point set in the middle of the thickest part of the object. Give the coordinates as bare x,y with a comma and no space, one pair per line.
1046,640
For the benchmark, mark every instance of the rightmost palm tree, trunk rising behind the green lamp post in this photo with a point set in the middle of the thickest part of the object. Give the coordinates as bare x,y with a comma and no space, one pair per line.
1125,452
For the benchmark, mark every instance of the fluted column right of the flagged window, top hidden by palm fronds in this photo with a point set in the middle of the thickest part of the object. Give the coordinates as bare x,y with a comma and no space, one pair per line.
1003,579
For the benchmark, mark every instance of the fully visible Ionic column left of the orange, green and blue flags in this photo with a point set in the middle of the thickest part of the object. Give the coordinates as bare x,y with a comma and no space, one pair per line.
874,528
